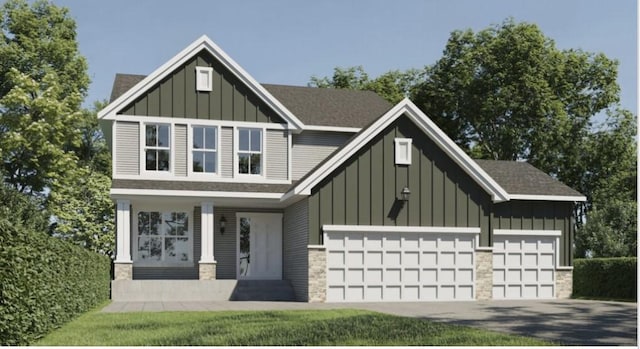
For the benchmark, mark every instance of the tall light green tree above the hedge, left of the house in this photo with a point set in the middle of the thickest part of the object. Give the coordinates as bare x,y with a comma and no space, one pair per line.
43,81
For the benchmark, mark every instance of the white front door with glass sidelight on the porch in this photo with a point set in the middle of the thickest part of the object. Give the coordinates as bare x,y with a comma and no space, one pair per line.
259,241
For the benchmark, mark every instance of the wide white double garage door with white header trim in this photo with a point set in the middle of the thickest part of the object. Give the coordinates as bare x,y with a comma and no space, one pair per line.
413,264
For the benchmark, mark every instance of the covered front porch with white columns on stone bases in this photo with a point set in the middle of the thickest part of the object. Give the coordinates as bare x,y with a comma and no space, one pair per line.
198,249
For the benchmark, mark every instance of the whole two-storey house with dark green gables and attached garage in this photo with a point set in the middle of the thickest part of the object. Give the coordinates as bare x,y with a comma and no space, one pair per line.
222,183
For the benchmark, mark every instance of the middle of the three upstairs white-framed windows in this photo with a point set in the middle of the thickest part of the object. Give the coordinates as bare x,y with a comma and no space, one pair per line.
205,149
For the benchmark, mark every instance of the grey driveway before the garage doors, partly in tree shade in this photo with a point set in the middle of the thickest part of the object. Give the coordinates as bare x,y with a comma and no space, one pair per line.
571,322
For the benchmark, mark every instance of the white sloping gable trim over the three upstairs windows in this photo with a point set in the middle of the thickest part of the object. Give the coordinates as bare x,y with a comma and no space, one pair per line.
201,43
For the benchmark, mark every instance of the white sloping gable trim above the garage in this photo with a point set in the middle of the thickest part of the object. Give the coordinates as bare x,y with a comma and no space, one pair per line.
498,194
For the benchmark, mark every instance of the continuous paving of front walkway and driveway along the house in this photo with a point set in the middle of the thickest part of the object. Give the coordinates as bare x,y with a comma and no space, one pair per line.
573,322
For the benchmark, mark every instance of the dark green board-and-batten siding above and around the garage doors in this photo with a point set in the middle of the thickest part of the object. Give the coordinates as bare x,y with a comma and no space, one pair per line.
365,188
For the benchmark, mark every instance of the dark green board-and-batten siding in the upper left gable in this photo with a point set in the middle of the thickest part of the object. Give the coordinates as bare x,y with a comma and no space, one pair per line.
176,96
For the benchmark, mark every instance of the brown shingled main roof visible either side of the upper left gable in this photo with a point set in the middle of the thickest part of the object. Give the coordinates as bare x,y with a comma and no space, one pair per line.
312,105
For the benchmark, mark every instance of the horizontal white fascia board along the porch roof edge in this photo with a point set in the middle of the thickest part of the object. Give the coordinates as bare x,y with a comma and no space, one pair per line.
196,193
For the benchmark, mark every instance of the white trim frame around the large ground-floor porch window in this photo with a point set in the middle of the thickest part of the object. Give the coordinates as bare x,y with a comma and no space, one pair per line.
135,234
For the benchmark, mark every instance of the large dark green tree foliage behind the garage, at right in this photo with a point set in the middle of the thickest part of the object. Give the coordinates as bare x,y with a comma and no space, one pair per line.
507,93
